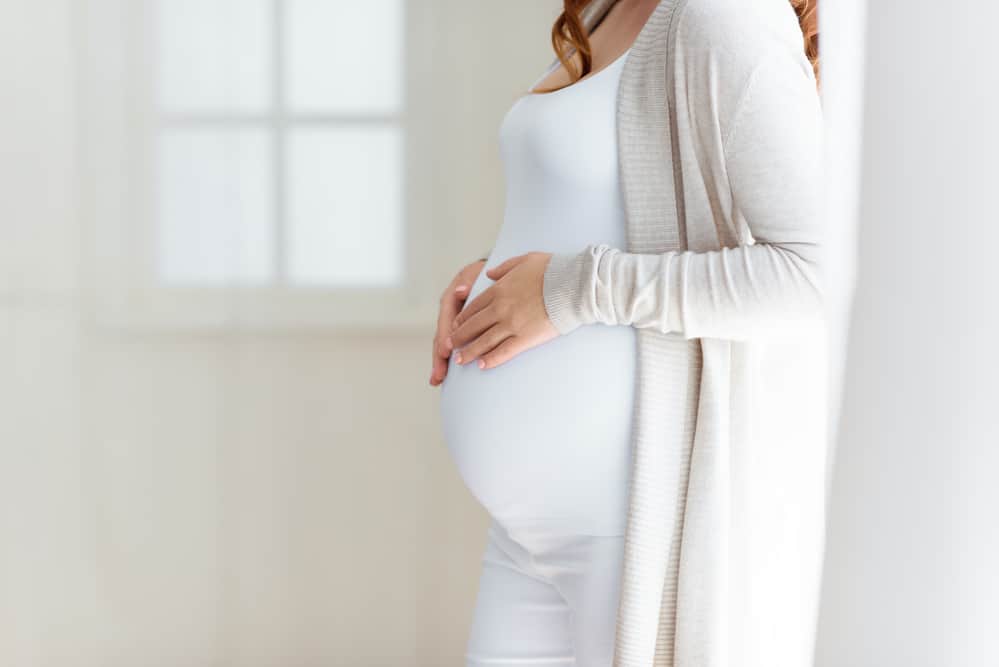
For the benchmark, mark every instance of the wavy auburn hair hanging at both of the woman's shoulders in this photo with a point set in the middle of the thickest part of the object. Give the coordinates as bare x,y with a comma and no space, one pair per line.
568,33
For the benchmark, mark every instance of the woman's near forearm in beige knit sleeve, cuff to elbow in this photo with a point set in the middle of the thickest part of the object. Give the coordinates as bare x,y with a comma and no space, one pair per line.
733,293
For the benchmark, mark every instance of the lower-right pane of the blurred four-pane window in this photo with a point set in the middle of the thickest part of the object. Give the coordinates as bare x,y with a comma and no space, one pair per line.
345,206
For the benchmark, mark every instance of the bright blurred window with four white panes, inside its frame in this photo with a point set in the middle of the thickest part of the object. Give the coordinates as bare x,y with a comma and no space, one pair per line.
279,155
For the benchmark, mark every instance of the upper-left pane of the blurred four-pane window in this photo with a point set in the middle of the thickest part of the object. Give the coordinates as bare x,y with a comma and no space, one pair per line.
214,55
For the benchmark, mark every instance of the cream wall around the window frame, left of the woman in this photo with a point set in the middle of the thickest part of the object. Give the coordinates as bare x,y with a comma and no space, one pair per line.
188,500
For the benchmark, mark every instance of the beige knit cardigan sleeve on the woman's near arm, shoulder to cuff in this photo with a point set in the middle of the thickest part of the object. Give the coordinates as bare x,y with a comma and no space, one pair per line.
772,156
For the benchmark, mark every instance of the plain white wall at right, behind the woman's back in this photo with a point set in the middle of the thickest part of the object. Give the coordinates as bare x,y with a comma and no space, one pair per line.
911,574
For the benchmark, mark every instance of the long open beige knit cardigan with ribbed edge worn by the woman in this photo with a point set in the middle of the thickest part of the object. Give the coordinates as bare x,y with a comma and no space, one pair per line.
719,129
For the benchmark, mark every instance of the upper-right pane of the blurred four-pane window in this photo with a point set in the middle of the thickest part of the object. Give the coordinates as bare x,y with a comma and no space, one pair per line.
345,55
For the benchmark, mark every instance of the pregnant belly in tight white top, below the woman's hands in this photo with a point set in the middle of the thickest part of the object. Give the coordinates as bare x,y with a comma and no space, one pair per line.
545,437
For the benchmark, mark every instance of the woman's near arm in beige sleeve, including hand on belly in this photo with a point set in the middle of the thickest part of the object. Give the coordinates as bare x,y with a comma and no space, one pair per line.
772,156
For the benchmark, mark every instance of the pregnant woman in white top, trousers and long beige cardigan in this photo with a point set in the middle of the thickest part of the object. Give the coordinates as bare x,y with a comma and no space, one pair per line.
633,382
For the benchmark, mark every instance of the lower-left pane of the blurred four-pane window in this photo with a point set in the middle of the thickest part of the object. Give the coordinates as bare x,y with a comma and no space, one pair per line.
215,206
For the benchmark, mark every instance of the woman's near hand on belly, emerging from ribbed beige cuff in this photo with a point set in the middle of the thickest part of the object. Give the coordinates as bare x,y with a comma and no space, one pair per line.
507,318
